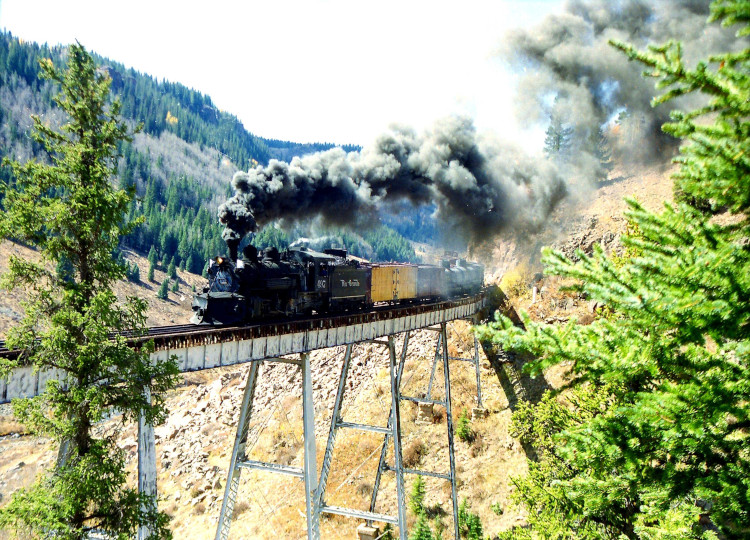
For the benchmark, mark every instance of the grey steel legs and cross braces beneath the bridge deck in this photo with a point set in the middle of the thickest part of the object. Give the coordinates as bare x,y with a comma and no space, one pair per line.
316,486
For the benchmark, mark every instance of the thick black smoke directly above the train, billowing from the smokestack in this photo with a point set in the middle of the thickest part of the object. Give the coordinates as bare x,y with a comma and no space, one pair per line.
480,186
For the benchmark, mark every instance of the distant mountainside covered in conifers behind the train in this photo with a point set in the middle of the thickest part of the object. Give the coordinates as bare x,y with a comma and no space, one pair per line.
181,163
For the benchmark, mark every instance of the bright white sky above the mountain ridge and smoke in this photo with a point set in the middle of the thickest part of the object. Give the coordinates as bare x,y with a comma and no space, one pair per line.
306,70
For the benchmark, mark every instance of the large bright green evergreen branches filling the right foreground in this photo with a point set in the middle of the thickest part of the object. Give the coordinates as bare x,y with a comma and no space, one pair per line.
653,441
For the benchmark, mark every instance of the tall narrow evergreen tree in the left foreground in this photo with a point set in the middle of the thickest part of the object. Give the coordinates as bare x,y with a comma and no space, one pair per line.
70,210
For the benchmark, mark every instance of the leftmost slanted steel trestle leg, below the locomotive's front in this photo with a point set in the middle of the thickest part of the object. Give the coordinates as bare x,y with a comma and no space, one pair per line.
238,454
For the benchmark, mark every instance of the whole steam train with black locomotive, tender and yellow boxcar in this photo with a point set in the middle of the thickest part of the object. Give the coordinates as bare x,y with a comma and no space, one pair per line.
300,281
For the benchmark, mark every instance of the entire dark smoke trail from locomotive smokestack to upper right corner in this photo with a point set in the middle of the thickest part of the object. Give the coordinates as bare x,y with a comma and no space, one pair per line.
482,187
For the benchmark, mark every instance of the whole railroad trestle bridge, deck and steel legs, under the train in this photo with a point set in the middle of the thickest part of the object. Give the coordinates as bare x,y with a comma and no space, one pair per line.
204,347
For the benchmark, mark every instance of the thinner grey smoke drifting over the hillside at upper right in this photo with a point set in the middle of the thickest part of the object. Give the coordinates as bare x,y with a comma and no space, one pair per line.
572,73
